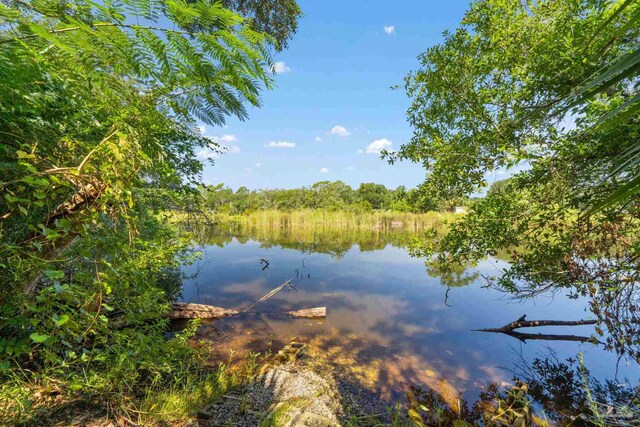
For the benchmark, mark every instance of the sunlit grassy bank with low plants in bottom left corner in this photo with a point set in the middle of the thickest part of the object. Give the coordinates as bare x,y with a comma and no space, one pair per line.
171,393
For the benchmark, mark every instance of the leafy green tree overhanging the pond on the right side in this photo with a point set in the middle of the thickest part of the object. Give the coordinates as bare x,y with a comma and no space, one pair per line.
506,89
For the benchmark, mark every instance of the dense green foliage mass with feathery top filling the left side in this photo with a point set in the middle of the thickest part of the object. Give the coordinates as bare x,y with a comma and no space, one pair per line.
100,103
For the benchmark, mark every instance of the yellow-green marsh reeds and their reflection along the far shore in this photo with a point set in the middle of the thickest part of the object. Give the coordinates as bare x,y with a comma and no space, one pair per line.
310,231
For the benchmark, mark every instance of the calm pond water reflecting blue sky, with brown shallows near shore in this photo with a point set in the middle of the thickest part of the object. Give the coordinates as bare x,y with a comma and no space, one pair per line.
390,322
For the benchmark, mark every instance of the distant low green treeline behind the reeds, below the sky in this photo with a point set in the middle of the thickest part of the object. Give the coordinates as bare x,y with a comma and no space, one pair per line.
329,195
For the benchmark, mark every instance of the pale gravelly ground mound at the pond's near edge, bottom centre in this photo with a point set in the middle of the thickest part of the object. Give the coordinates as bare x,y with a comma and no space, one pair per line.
296,392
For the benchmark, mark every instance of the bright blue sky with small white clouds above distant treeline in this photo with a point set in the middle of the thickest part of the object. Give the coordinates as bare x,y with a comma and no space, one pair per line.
333,107
